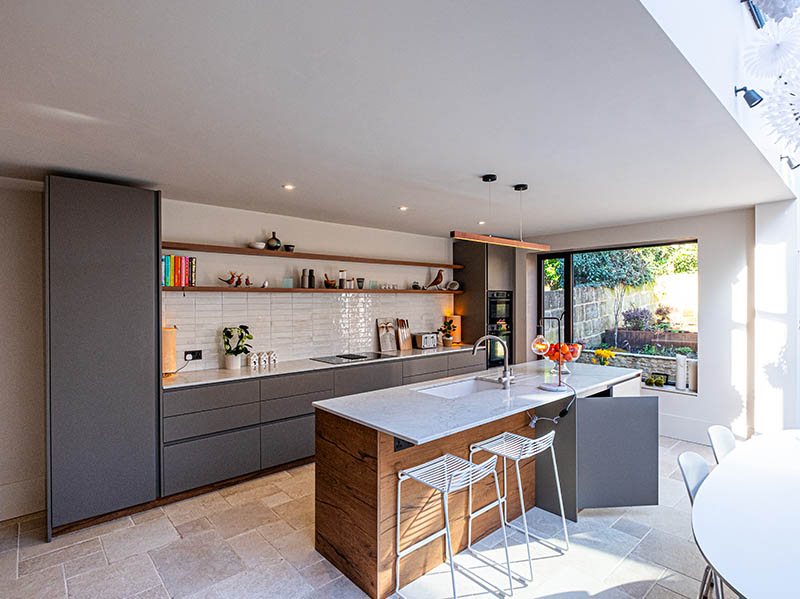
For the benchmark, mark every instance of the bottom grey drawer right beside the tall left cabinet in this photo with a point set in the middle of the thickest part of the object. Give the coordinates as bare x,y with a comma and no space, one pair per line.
205,461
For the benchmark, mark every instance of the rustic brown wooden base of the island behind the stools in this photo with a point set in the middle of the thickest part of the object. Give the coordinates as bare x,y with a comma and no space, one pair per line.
356,499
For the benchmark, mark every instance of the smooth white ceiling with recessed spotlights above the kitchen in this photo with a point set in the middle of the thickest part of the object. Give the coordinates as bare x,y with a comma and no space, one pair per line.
368,105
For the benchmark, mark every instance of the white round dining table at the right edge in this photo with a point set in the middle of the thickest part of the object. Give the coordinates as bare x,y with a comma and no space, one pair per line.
746,517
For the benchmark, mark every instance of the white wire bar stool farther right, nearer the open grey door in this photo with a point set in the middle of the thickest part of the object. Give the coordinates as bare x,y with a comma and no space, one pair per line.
510,446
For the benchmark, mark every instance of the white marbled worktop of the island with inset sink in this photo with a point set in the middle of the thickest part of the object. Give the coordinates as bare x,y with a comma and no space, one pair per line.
408,414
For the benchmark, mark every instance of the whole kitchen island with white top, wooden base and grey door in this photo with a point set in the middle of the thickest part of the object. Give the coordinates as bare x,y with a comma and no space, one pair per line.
364,440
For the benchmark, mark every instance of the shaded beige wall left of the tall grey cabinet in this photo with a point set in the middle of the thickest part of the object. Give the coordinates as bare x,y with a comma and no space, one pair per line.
22,441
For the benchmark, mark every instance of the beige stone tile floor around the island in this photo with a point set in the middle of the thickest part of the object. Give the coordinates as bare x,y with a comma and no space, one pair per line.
256,540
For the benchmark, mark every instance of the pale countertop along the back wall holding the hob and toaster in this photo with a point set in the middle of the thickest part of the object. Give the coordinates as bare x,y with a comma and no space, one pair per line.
220,375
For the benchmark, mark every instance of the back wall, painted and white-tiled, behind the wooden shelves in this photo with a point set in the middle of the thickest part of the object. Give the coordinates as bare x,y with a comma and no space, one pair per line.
296,325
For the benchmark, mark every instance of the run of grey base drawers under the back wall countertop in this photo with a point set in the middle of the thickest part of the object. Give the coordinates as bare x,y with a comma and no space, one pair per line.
223,430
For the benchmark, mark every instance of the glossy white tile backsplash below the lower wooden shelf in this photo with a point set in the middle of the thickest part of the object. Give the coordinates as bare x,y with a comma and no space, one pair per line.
296,325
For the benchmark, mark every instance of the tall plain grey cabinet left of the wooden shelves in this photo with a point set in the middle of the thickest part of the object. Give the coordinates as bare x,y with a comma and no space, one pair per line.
102,268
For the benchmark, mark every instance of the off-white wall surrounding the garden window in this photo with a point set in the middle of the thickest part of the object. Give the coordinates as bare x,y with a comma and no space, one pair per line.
725,315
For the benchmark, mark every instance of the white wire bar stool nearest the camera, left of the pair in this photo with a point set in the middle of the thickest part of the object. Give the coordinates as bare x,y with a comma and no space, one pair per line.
448,474
